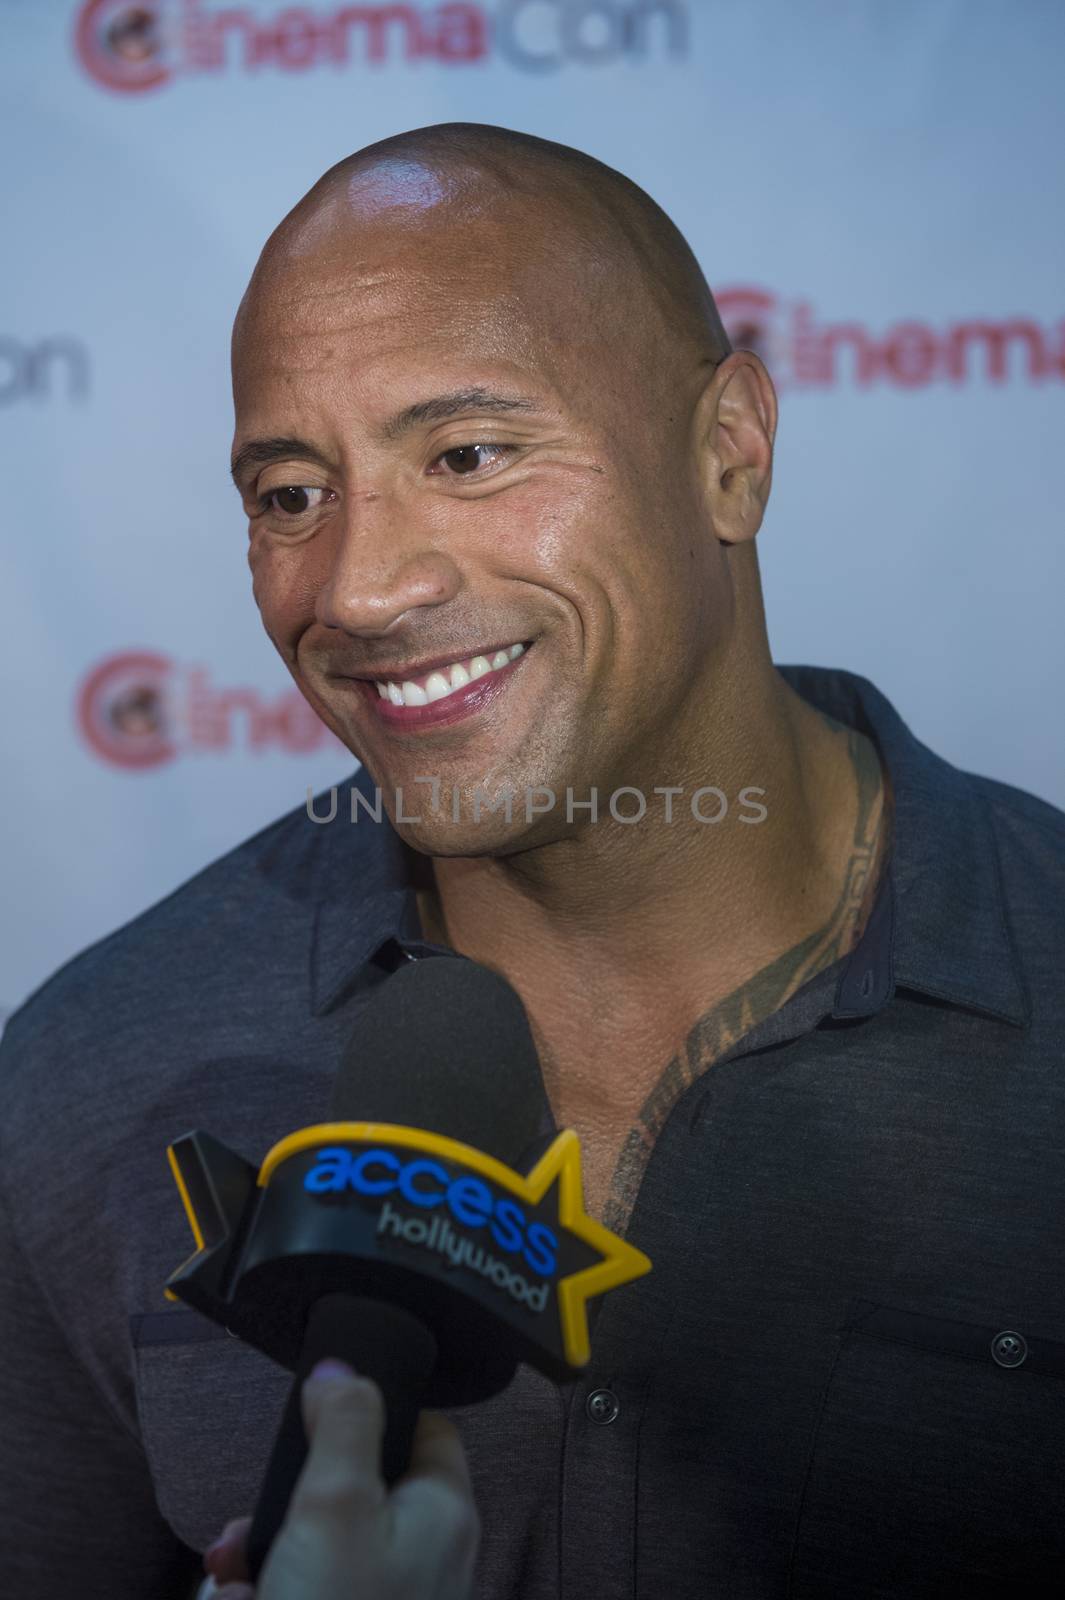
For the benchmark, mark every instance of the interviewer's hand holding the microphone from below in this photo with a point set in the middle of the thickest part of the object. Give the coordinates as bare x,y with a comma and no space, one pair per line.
345,1535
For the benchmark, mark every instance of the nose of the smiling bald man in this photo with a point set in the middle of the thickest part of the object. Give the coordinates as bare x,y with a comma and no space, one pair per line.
381,566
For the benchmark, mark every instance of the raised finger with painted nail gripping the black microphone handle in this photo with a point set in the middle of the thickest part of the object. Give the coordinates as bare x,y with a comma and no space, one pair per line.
345,1420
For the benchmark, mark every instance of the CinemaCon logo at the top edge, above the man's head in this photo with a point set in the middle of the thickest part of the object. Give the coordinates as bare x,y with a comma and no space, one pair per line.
132,49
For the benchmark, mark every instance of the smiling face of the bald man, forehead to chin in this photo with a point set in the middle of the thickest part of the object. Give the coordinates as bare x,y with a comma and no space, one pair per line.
455,439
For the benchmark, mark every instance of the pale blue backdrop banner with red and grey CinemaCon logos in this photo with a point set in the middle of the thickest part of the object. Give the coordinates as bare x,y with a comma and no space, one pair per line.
874,191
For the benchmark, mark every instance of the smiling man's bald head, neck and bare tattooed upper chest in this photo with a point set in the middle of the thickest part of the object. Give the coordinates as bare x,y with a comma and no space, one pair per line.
583,478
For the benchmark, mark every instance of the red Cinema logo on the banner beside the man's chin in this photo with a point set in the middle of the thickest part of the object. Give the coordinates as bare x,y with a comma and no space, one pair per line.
142,710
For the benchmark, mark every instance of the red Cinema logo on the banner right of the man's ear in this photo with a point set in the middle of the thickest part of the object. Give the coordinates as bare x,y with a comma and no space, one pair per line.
807,353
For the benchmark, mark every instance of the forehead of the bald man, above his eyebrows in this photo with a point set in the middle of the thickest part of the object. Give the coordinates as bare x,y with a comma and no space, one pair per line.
388,287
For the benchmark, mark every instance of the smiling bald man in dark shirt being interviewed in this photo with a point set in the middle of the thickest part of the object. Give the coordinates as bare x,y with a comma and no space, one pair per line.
792,977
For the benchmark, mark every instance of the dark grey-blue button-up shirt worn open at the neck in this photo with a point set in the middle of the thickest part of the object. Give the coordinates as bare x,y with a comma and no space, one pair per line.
845,1375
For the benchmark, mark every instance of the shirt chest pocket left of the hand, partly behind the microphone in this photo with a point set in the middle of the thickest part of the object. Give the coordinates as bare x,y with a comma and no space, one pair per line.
210,1409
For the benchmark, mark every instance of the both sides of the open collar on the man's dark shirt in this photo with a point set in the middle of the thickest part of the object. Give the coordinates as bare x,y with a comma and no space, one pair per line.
939,924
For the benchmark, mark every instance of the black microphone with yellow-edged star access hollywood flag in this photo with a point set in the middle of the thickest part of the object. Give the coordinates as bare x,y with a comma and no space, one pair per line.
405,1236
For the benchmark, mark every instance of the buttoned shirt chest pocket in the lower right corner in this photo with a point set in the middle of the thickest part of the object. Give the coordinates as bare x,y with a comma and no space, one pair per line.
936,1465
